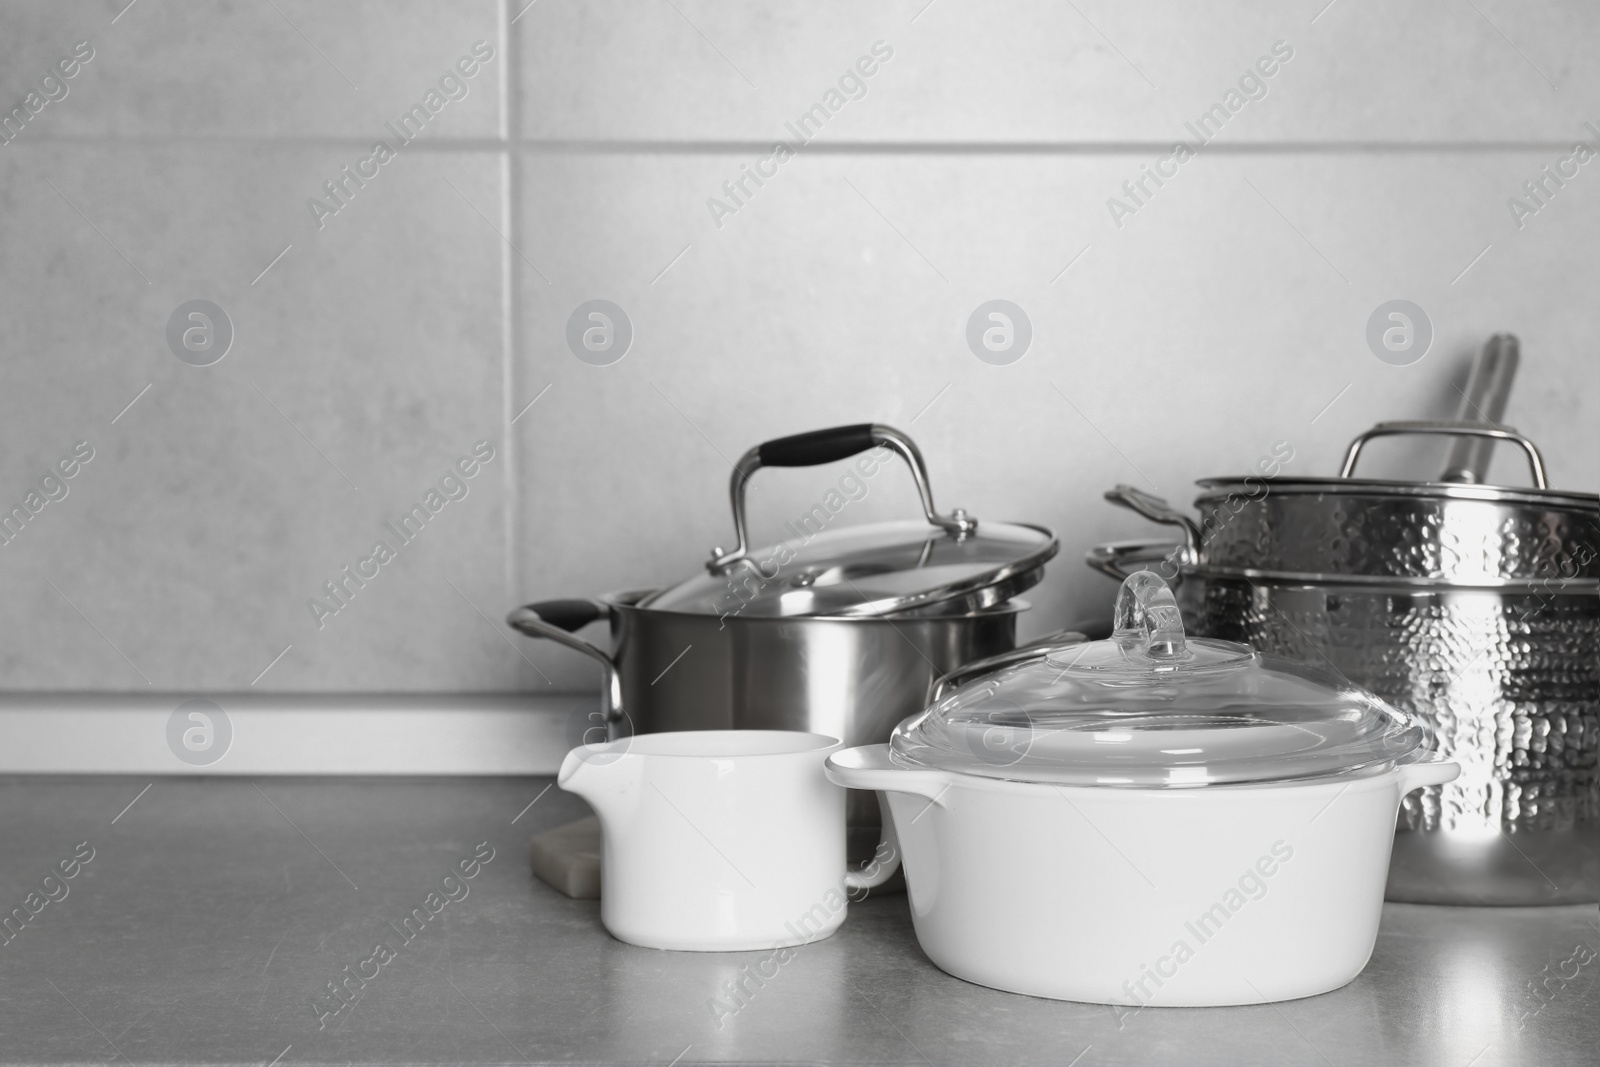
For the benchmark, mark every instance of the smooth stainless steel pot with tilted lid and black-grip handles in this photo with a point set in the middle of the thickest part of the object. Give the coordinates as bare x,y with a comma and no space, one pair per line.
838,631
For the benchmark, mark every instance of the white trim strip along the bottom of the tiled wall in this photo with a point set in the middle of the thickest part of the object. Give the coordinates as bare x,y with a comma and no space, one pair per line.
90,733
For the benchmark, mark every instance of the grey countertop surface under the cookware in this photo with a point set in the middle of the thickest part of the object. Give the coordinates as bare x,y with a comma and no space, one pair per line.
215,913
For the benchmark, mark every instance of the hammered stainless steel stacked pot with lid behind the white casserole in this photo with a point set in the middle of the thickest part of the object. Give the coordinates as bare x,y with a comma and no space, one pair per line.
1474,607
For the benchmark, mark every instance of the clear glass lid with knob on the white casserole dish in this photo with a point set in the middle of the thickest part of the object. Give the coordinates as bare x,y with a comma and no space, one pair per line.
1156,709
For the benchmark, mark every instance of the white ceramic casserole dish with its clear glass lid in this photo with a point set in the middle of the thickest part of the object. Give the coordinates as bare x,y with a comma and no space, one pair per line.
1148,820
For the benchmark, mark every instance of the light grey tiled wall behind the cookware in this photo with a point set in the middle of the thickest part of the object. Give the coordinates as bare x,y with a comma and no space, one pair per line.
377,346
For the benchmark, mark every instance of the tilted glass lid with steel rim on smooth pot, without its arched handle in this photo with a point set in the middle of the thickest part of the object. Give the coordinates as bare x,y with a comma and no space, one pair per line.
881,569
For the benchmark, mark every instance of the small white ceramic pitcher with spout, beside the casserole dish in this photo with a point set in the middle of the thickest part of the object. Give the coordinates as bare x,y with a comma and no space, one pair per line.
719,841
